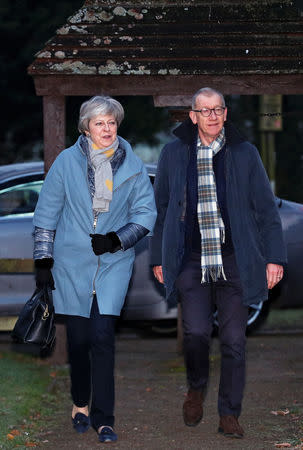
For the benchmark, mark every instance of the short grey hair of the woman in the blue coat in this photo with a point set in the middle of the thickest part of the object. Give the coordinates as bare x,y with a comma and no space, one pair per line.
102,105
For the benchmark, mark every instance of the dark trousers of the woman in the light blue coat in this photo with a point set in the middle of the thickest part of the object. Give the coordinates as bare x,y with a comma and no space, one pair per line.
91,349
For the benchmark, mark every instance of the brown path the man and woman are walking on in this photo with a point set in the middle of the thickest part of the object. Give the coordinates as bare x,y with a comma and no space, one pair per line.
150,389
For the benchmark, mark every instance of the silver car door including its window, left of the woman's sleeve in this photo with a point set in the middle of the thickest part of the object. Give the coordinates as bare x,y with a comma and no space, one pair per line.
17,204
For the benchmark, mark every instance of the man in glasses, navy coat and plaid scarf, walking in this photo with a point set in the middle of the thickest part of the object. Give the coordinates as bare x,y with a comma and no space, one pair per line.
217,242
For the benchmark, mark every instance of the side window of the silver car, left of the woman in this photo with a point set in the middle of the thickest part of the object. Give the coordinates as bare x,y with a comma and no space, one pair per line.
19,199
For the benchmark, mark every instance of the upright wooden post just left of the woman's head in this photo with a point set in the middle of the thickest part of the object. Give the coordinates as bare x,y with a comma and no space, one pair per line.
54,128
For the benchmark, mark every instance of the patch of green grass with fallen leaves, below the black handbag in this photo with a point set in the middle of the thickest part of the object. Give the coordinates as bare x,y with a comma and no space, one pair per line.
26,399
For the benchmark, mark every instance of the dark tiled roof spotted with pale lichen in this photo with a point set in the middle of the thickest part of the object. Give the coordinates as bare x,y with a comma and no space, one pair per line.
176,38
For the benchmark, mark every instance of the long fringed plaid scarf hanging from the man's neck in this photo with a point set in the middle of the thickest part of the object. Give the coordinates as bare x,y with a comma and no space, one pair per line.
210,221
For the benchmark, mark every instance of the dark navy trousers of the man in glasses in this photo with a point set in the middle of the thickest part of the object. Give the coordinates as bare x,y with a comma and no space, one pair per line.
198,301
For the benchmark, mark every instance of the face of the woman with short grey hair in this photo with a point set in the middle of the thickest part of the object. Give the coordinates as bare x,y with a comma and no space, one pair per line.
102,130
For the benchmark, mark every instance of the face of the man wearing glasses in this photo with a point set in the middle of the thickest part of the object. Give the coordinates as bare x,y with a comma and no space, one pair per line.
208,127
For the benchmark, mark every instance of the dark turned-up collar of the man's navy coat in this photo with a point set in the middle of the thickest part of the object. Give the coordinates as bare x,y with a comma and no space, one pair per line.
187,132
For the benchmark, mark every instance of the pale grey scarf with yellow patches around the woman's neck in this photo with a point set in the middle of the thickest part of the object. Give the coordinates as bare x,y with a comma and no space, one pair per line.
100,159
